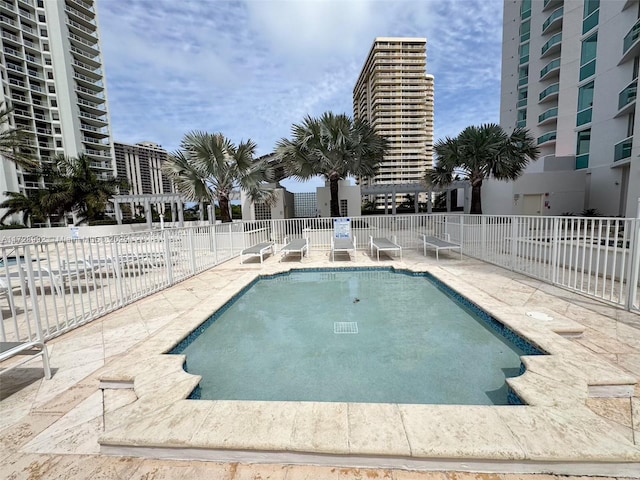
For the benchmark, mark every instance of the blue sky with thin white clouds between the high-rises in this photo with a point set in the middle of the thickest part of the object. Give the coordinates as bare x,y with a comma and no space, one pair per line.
251,69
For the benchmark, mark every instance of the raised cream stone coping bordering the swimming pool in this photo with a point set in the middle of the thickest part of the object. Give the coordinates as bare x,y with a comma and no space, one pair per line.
555,432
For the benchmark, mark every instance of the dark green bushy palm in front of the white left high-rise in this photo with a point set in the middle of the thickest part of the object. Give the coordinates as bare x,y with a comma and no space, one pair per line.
77,188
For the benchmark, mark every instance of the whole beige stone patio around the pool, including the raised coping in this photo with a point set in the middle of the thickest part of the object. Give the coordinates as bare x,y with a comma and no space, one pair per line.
51,429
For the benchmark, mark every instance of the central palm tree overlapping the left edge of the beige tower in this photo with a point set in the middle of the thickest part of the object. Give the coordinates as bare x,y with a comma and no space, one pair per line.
334,147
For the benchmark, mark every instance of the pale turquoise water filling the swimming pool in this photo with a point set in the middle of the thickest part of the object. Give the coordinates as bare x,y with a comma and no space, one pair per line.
280,341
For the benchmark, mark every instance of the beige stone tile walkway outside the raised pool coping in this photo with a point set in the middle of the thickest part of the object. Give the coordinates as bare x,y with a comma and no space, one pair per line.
50,429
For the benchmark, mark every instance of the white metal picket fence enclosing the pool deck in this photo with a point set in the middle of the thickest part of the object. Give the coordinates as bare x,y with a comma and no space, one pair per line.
62,284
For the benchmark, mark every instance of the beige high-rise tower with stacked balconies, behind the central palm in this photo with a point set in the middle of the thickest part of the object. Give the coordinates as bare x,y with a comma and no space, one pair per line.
394,94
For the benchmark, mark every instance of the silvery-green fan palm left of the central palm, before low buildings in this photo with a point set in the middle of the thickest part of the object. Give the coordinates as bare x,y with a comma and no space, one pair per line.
209,166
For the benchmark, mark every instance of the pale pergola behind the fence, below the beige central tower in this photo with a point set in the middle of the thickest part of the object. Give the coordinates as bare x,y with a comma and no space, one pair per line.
416,188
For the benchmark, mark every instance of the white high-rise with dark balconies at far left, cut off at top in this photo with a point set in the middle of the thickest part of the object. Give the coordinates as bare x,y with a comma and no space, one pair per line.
53,78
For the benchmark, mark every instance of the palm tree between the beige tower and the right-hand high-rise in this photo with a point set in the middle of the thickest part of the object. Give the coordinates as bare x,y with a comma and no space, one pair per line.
482,152
